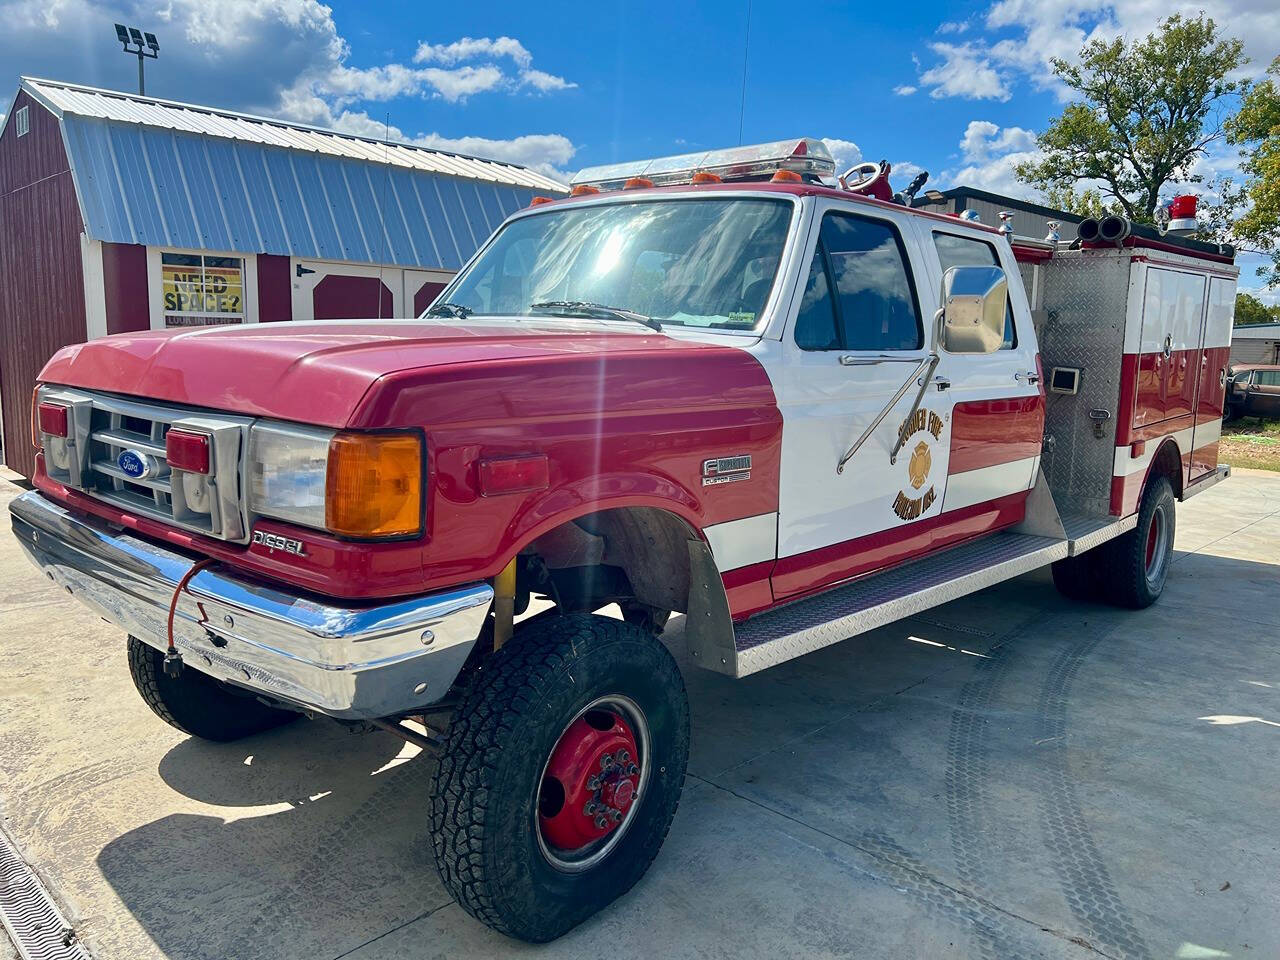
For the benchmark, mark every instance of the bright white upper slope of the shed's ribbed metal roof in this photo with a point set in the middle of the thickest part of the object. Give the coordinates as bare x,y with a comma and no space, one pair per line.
205,121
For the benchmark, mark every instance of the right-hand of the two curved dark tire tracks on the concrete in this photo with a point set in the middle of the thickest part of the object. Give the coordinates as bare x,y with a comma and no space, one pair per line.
1082,872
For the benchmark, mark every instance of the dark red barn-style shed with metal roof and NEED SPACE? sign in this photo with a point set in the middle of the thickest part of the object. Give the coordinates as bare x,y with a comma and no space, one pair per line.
121,213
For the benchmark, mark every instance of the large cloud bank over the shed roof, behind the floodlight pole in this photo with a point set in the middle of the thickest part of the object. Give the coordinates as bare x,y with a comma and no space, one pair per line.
278,58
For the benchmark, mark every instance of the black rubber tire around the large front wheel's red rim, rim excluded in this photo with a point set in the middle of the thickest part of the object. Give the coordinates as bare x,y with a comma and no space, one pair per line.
486,788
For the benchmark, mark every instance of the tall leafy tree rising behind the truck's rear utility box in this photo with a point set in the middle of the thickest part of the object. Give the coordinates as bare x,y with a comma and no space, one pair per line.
1145,115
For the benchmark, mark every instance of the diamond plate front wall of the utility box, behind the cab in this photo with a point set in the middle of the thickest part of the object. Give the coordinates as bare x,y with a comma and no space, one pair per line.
1086,296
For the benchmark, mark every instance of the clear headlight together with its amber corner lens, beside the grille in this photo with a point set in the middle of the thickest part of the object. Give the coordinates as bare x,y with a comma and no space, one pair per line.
354,484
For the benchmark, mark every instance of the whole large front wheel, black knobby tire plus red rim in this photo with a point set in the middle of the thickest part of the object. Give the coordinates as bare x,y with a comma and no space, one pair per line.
563,771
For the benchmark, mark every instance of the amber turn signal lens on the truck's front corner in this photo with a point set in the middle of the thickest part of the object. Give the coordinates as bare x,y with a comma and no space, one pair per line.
374,484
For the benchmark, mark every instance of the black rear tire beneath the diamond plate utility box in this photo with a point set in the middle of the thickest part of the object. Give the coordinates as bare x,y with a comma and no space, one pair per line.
1128,578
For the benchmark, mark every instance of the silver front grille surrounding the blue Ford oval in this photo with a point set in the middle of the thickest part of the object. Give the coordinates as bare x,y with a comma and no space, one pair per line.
106,427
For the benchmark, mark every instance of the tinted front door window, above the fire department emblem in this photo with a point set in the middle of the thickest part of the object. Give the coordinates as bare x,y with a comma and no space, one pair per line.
860,294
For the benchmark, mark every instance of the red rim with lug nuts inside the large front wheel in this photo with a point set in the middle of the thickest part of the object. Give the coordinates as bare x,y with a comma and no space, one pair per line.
592,784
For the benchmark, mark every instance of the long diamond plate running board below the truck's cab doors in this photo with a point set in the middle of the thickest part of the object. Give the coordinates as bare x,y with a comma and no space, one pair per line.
865,605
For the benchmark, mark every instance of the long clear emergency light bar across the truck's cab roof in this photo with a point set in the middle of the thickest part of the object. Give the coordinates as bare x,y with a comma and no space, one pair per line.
752,163
